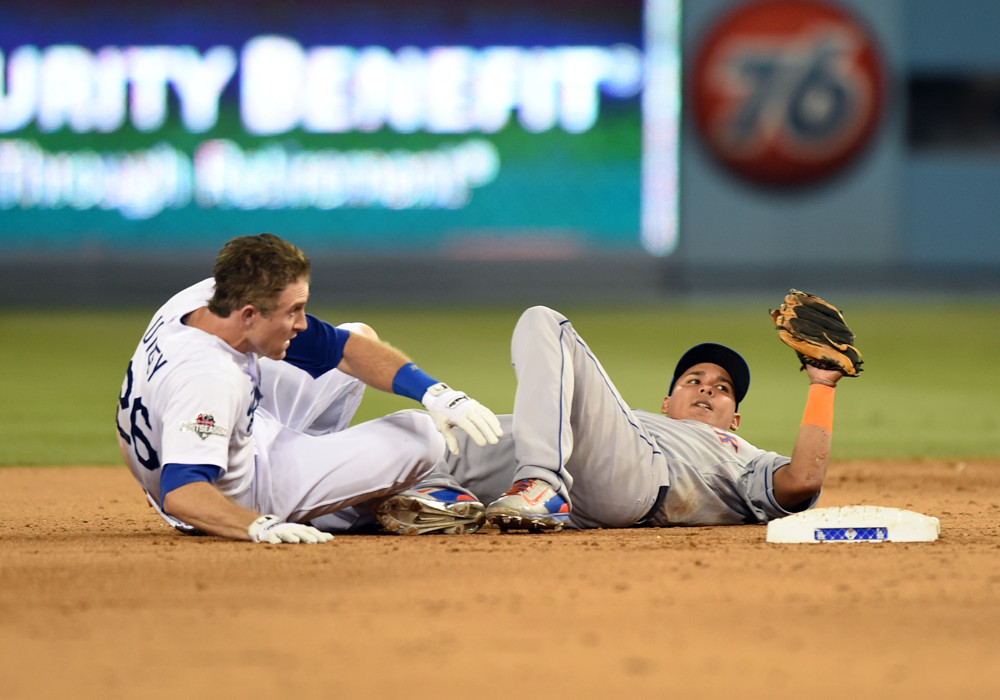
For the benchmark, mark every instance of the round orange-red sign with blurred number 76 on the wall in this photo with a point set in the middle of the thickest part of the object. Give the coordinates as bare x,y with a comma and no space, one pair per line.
786,92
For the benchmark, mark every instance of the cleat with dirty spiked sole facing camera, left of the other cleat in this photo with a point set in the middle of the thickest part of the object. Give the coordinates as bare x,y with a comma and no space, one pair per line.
430,510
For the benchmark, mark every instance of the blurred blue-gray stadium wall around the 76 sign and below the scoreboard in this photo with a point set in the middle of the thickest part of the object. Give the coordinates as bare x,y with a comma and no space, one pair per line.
907,215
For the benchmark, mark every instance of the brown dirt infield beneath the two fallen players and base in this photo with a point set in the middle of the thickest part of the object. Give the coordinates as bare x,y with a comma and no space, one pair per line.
99,599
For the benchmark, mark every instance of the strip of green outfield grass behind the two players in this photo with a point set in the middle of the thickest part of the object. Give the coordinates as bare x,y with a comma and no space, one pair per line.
929,387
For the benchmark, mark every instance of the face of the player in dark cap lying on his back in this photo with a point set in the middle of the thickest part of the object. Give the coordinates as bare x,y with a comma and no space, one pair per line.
704,393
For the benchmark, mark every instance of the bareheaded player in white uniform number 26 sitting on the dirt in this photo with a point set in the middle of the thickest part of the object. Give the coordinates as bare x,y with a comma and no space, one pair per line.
234,412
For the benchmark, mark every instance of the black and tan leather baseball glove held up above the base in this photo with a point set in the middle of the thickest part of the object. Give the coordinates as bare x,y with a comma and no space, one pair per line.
816,330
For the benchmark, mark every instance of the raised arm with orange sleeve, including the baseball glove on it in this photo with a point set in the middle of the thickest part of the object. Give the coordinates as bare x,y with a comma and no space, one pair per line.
816,330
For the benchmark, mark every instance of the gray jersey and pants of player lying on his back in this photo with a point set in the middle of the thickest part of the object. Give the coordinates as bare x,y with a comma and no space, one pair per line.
618,467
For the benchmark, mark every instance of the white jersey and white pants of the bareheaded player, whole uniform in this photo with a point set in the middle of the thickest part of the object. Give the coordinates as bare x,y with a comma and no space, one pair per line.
277,435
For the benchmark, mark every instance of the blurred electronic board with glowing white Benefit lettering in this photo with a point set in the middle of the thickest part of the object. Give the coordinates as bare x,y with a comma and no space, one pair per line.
479,129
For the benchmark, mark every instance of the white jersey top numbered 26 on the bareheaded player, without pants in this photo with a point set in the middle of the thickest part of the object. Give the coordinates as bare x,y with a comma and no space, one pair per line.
188,398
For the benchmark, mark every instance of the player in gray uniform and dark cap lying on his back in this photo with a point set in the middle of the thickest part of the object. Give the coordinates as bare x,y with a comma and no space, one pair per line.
578,456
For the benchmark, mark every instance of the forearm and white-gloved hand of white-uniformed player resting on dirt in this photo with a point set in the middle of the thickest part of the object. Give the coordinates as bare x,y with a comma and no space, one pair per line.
202,505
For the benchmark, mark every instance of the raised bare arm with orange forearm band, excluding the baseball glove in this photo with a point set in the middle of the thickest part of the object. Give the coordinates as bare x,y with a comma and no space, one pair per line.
802,479
